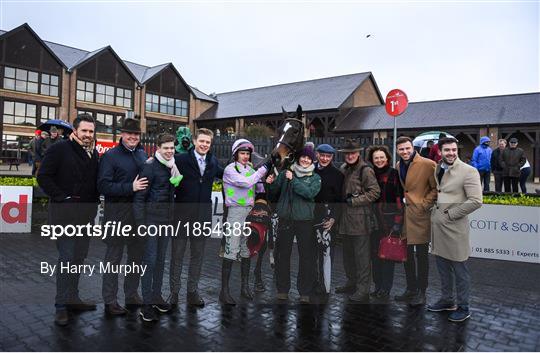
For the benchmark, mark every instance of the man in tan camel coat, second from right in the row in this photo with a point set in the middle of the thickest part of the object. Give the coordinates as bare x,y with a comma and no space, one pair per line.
416,176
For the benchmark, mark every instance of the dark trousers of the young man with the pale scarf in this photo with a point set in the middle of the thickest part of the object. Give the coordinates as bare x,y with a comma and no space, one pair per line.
155,251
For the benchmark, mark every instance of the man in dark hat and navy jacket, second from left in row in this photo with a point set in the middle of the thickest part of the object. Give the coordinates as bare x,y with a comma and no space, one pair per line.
118,180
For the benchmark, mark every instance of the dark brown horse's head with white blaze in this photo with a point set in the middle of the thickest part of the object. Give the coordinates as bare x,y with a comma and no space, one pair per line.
291,140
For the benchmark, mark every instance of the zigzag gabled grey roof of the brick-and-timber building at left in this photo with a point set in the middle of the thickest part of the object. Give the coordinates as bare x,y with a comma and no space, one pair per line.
72,57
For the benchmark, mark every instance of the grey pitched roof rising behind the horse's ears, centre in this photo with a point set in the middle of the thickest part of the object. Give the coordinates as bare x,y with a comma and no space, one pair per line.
319,94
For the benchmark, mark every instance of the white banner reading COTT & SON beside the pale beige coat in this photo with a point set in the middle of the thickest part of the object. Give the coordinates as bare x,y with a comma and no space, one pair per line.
506,233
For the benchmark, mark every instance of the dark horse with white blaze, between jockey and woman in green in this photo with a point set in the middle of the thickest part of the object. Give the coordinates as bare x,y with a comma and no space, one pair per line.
285,153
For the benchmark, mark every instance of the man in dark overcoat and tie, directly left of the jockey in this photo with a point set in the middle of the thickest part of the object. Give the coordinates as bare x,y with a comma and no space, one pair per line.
193,205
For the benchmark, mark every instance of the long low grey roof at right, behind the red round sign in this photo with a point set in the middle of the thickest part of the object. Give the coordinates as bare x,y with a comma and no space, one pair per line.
494,110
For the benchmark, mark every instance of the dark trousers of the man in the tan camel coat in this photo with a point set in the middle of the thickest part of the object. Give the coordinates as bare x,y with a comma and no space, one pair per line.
417,267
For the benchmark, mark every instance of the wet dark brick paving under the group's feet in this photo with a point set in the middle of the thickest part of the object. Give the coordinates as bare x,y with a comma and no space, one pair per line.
505,313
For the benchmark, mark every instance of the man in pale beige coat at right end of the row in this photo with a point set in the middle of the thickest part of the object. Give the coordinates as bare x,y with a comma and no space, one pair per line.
459,194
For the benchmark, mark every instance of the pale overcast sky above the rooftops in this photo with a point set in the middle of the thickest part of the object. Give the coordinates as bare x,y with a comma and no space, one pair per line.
431,50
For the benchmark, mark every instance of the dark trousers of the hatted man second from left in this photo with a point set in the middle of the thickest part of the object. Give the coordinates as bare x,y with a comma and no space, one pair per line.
113,255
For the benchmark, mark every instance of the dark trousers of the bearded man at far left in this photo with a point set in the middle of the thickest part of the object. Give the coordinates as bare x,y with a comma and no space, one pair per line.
71,251
